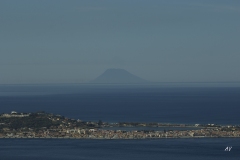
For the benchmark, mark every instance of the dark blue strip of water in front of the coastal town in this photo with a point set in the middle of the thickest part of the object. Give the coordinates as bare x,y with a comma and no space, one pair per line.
166,149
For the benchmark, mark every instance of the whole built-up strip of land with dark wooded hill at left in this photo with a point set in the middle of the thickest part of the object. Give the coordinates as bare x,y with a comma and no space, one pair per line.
46,125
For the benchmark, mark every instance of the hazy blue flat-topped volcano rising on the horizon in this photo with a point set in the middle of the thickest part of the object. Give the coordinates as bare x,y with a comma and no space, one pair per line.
118,76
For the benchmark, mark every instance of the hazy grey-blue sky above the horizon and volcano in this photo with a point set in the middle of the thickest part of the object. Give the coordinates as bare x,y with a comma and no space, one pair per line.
74,41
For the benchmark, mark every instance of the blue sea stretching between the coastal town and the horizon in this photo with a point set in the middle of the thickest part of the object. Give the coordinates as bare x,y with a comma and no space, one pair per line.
219,105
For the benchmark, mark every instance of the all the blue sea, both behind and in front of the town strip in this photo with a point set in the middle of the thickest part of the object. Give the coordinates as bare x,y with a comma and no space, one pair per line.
184,103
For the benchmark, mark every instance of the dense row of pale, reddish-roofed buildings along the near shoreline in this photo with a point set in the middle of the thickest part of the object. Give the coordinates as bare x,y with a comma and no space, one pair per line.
96,133
